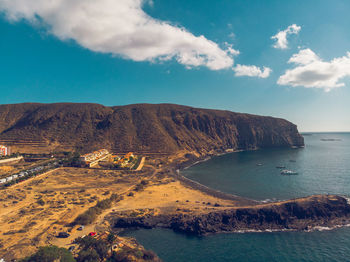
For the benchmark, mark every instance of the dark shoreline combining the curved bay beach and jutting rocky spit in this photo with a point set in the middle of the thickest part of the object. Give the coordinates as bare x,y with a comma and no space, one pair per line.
316,212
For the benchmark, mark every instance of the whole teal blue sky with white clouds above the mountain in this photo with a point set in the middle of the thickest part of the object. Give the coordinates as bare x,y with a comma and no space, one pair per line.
288,59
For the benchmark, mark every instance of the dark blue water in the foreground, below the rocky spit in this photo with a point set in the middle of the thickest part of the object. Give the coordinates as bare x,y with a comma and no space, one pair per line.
248,247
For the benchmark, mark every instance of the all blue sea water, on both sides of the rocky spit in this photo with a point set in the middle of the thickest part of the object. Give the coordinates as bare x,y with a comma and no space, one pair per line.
323,167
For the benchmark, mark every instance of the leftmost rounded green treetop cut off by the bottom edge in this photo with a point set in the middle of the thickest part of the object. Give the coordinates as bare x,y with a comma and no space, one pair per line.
50,254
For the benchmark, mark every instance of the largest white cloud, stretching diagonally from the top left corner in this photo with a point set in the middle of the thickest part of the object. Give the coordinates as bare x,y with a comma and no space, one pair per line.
122,28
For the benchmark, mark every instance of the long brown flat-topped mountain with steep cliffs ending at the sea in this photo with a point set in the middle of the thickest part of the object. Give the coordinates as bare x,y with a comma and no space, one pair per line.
143,127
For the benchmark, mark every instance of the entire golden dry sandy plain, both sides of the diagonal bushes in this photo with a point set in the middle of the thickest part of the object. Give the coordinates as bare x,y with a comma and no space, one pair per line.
32,213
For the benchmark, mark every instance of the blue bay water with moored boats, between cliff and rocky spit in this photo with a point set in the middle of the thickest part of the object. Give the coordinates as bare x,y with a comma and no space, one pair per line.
323,167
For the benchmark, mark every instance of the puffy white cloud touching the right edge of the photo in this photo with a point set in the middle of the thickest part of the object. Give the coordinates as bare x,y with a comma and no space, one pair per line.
312,72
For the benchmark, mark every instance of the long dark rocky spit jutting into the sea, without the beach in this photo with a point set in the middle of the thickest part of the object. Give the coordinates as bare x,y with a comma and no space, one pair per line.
299,214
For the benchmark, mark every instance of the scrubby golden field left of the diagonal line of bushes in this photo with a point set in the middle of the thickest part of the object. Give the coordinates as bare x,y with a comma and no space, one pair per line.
27,222
